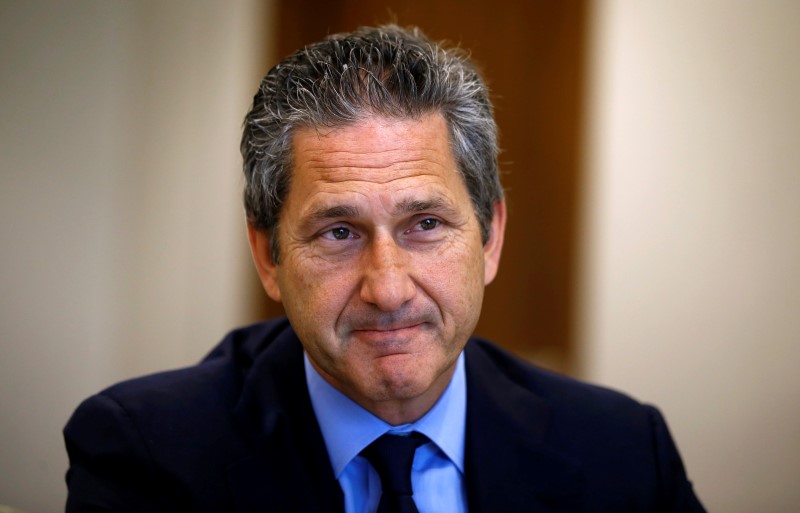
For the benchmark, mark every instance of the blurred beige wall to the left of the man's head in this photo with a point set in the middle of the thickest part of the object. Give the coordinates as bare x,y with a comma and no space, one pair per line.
121,237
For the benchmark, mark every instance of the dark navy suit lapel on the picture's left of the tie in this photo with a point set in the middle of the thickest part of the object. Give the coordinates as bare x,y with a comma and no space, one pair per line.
289,470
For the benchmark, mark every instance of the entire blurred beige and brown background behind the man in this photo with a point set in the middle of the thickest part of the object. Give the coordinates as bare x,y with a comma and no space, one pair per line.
672,243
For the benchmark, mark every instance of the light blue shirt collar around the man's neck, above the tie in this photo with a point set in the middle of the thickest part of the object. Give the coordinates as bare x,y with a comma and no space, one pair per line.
348,428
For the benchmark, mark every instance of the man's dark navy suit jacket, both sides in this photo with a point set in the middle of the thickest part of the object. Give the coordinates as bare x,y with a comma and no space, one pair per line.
237,433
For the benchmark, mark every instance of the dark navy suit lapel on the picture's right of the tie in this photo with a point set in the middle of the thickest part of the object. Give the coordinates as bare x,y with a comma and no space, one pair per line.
509,466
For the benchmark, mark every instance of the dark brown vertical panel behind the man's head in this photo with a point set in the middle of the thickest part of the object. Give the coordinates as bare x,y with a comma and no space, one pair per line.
532,54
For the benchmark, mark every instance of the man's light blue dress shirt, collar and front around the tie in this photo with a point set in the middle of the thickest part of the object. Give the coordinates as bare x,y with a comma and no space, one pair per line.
437,474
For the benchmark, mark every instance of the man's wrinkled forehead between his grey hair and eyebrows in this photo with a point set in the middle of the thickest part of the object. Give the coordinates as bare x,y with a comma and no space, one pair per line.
399,166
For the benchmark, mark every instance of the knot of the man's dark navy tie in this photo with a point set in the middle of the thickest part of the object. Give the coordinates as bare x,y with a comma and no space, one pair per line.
392,456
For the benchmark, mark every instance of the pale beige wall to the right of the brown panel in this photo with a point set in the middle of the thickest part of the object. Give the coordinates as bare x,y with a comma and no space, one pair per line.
691,279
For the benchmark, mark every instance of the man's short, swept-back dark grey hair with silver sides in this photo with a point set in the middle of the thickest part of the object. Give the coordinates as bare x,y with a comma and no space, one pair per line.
387,71
